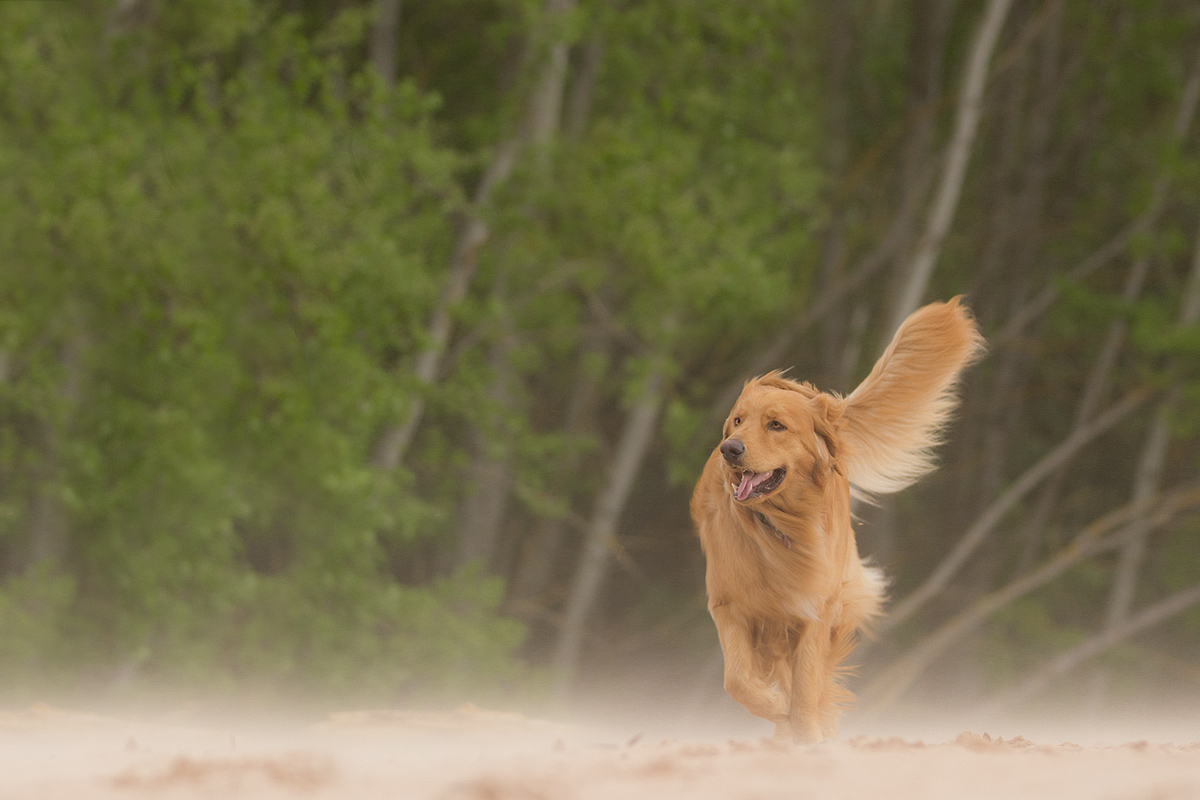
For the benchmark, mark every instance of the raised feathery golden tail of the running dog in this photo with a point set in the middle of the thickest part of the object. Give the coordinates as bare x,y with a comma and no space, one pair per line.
891,424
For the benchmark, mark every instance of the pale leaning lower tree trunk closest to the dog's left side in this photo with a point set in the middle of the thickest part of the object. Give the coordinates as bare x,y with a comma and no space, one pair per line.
632,449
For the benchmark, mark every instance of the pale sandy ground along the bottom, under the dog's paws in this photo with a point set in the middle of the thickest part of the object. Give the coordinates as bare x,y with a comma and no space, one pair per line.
477,755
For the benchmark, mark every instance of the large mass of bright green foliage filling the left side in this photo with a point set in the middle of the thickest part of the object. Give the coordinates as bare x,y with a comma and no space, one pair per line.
208,282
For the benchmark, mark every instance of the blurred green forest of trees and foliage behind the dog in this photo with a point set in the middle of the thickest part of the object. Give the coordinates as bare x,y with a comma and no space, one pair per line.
373,347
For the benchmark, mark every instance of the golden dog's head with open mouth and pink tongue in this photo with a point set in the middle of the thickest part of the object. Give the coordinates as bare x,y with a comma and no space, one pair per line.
781,437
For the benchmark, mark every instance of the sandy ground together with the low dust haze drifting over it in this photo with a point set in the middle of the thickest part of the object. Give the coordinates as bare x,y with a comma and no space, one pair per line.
633,738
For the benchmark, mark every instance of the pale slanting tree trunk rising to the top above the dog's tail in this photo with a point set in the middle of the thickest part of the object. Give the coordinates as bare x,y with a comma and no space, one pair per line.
958,154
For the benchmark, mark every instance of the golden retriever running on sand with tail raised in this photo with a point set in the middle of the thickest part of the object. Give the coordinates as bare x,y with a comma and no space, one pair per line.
787,587
